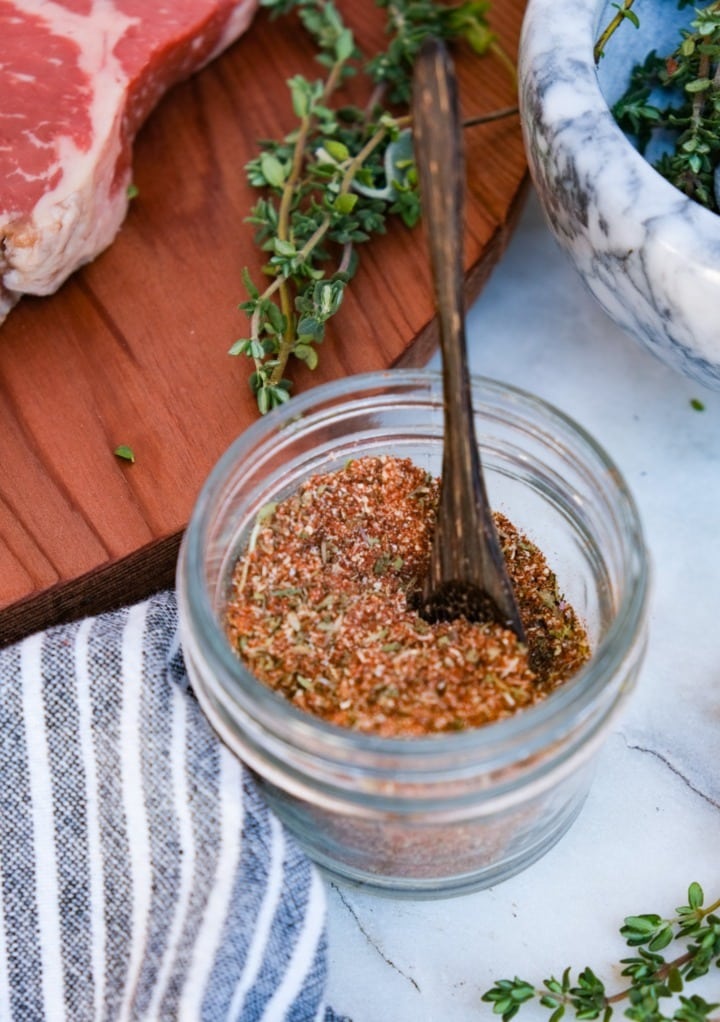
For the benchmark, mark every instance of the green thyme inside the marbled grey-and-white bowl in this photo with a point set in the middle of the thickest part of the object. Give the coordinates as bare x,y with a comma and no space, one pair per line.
690,78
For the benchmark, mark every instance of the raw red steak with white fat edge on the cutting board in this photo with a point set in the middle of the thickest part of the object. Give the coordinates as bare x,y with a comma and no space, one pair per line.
77,80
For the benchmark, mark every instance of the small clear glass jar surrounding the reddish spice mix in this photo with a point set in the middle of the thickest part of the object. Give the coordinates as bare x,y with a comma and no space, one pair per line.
447,814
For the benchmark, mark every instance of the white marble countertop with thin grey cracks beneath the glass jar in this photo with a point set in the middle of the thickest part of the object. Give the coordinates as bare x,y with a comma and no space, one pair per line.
652,823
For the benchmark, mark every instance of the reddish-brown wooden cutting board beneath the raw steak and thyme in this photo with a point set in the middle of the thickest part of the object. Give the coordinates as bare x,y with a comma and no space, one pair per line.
133,349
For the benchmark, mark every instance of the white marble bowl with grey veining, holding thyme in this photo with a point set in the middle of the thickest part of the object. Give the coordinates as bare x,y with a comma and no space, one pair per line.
647,253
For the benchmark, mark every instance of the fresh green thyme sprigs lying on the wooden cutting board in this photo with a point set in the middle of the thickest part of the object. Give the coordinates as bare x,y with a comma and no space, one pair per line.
332,183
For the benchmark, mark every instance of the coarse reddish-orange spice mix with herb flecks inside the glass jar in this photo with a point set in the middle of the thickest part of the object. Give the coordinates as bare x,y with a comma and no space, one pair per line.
322,611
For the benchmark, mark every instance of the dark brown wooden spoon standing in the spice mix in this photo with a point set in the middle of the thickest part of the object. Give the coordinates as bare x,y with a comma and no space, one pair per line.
467,574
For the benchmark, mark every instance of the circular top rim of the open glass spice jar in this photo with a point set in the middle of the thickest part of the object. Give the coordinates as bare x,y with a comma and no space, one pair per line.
198,612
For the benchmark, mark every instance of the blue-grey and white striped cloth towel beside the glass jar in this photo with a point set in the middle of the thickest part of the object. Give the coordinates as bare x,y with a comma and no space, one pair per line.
143,877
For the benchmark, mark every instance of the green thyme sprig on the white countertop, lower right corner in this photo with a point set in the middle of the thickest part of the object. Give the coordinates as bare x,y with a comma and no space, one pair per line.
653,980
